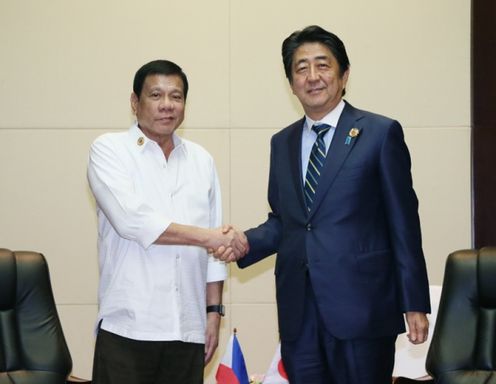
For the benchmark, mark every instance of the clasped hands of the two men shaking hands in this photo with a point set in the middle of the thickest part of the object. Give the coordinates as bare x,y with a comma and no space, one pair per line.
228,244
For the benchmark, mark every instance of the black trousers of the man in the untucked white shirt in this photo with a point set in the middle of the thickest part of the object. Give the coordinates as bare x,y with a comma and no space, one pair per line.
119,360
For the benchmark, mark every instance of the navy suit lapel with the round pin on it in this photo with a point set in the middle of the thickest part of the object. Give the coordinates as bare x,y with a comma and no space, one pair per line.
340,148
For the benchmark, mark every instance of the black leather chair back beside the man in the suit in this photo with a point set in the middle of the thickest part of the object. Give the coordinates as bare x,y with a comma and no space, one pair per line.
463,347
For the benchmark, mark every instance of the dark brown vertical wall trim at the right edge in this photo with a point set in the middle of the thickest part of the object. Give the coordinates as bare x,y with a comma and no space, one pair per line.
483,43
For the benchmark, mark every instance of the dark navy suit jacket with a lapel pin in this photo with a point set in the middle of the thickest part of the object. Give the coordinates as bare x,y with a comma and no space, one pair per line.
360,245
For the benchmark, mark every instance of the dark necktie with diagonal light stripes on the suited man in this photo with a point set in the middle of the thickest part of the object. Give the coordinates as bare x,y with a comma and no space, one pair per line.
315,163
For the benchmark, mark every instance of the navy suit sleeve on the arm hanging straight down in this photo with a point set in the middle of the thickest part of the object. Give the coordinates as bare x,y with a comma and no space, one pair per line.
404,224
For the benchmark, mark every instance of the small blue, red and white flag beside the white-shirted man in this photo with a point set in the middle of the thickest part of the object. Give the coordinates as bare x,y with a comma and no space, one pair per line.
232,368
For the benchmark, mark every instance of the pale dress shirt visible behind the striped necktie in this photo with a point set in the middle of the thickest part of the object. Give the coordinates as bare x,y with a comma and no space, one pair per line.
309,136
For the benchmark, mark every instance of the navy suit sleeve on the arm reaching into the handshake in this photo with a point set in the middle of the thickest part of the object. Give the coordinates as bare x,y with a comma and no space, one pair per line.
264,240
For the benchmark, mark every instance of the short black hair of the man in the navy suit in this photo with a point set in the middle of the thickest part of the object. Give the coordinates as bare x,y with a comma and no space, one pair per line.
313,34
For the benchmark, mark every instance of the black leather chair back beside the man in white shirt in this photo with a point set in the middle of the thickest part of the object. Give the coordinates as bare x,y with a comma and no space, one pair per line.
32,345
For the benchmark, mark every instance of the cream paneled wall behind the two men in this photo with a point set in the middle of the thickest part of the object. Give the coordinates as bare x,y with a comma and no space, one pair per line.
65,77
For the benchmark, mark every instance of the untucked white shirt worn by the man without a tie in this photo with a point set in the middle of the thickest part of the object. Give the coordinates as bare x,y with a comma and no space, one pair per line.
149,291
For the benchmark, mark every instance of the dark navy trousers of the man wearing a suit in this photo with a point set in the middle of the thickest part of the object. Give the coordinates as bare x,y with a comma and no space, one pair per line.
317,357
